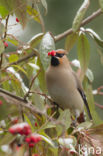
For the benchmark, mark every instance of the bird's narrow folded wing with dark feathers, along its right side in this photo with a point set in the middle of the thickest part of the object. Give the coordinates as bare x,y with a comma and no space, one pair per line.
80,89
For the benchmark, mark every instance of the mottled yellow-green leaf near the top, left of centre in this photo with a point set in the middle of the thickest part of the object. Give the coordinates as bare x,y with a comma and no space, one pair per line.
32,12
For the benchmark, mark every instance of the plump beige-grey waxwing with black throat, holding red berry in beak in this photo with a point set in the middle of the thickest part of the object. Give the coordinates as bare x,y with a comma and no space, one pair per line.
64,86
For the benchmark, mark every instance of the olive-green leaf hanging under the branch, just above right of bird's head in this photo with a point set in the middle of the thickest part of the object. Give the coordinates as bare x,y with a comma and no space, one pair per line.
70,41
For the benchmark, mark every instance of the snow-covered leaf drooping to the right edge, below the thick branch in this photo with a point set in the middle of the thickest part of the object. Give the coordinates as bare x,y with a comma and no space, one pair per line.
95,36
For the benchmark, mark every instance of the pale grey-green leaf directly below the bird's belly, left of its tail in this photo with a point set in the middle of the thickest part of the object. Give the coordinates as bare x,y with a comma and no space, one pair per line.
65,118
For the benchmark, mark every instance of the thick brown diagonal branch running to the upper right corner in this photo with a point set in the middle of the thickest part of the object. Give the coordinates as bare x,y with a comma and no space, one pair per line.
84,22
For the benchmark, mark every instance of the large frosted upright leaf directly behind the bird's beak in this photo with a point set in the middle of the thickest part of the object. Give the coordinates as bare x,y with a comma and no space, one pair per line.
47,44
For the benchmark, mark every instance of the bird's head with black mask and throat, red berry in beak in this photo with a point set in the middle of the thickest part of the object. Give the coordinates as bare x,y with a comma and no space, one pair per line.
58,57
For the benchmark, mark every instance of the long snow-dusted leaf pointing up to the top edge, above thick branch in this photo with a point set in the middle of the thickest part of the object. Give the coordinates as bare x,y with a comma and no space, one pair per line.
80,15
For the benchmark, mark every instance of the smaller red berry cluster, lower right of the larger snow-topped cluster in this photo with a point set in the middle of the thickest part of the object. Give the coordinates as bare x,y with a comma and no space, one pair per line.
33,139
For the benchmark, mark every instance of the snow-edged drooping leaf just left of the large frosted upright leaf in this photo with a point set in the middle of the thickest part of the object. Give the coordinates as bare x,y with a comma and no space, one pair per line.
35,40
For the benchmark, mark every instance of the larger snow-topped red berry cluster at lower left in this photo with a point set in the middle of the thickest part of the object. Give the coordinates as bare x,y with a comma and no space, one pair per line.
21,128
